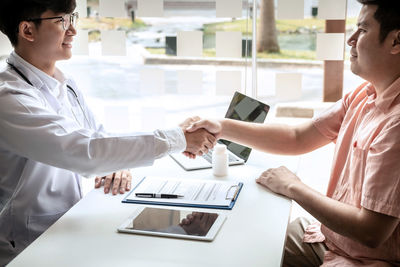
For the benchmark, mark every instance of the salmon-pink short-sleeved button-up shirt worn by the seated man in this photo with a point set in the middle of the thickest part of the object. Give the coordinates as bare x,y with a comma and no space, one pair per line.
365,171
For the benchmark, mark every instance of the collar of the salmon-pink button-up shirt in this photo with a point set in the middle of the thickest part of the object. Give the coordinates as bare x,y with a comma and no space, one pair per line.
388,97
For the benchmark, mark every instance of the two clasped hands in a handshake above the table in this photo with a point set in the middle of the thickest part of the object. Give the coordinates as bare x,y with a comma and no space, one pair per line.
201,135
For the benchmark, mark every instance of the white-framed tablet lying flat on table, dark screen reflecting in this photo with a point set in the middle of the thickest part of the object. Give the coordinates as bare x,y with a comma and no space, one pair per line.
187,224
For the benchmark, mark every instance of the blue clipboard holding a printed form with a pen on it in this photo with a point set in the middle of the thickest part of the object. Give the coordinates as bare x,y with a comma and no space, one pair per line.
209,194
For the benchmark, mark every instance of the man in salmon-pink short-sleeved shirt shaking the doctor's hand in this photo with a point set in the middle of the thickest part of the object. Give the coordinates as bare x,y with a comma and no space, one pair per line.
360,213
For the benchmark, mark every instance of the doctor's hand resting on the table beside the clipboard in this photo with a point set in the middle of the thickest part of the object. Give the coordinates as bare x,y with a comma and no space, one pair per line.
120,181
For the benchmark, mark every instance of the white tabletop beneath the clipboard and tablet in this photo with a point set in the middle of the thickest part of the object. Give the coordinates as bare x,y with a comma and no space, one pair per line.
253,234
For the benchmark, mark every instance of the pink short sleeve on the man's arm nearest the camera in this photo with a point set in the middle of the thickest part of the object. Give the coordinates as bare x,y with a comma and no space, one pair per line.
381,187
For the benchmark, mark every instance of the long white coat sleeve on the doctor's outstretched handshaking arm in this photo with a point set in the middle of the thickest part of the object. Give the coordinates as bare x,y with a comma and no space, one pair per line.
30,129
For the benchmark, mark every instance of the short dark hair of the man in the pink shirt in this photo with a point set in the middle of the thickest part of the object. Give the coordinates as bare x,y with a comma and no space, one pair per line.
387,14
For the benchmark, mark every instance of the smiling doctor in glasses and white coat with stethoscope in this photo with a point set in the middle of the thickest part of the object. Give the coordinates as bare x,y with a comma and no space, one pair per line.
49,137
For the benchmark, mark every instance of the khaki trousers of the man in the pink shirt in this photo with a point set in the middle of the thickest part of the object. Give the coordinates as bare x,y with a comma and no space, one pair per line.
299,254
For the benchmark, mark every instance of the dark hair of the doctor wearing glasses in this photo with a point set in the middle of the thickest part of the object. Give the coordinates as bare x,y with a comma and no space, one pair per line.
13,12
